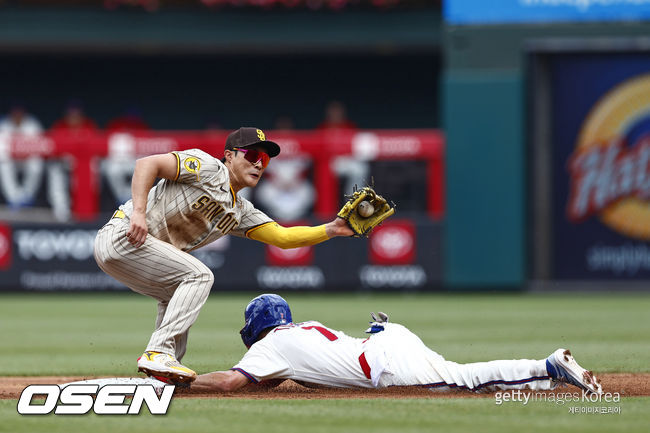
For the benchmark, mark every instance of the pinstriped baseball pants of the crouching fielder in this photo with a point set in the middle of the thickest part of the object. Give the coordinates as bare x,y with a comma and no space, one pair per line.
177,280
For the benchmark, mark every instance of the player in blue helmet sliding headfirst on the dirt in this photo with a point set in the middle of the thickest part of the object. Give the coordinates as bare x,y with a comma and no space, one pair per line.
312,353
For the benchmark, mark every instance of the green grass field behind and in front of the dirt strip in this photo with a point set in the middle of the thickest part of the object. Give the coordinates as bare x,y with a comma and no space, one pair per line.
104,334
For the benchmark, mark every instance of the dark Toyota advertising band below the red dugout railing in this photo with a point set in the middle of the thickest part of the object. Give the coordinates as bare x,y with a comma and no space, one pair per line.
399,255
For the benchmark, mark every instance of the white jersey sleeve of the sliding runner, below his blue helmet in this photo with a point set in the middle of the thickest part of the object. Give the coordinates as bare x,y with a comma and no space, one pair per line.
263,361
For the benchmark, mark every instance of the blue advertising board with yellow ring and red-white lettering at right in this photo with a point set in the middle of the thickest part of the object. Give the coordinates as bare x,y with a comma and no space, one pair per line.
601,166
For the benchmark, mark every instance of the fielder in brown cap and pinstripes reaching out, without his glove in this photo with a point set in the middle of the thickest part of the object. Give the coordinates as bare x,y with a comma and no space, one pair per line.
145,245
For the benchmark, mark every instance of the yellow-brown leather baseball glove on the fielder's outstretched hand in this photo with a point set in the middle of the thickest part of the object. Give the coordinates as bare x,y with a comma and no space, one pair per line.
362,226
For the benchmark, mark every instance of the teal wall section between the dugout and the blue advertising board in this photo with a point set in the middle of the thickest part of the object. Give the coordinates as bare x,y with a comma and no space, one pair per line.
487,106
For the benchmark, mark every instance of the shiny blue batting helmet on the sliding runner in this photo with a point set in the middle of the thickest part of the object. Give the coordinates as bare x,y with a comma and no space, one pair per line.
263,312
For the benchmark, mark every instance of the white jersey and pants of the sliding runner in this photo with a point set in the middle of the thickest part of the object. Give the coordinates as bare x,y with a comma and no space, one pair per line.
313,353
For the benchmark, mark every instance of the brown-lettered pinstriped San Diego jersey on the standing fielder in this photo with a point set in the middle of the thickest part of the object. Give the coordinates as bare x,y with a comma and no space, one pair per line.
199,206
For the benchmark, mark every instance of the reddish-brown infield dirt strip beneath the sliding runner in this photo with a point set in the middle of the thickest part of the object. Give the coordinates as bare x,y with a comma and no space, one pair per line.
627,384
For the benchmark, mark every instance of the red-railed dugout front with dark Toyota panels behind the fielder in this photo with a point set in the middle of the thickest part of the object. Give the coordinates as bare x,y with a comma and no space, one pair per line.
84,178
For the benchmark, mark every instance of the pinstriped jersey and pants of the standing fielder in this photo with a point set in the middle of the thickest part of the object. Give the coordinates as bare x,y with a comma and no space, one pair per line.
196,208
